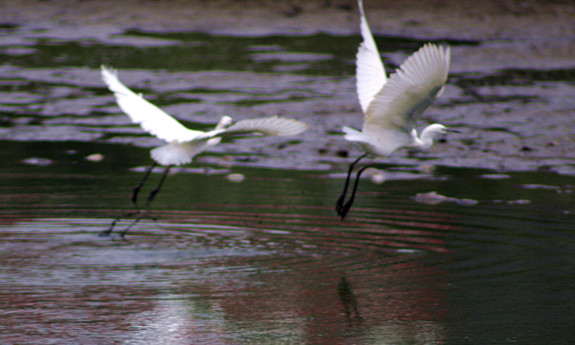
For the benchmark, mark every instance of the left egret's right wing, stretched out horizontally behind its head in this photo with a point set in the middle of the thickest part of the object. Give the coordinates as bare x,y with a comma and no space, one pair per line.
271,126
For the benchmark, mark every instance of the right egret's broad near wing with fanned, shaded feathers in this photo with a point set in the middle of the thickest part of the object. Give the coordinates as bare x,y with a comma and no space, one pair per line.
409,91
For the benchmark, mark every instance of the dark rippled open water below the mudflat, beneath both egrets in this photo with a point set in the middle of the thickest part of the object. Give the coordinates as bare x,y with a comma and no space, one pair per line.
222,267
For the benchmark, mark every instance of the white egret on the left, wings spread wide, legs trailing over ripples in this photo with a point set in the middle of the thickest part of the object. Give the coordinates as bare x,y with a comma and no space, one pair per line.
184,144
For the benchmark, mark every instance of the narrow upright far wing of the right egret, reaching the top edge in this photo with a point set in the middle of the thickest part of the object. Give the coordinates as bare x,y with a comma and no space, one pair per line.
370,73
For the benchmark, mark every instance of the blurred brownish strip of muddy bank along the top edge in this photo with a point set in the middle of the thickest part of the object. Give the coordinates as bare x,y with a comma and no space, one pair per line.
534,20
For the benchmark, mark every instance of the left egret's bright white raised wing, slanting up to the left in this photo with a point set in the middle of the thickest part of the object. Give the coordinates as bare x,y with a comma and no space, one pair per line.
152,119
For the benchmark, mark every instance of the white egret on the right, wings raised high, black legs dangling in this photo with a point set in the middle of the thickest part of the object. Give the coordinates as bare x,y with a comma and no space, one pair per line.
393,105
